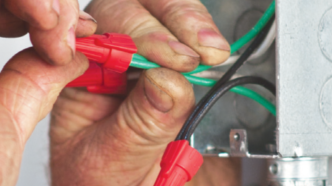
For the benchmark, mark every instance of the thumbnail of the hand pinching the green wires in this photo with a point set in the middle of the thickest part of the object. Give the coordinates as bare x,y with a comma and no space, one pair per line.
157,97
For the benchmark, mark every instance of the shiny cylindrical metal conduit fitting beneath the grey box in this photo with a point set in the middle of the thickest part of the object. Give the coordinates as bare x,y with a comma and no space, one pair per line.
306,171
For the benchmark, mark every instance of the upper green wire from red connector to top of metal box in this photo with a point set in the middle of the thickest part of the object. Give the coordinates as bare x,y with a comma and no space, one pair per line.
141,62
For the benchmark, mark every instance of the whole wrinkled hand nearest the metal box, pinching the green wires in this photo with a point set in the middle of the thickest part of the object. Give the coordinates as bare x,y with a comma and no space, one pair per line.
111,140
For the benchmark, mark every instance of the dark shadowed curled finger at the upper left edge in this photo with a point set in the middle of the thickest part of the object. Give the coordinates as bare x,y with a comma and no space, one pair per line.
10,25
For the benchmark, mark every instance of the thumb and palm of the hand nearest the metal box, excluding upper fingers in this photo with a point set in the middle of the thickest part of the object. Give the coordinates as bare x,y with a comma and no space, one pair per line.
105,140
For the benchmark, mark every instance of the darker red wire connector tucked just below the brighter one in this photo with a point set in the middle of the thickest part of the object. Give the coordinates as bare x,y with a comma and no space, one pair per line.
101,80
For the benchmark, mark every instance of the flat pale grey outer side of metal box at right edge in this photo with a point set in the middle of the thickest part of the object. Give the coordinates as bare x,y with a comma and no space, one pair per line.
304,71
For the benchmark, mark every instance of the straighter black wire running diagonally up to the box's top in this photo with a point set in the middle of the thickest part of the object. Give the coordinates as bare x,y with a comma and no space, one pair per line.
252,47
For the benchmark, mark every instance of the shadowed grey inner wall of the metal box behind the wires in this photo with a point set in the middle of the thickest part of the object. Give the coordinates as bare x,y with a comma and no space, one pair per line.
234,18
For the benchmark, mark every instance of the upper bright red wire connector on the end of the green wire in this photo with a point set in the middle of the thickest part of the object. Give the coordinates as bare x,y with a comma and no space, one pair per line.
114,51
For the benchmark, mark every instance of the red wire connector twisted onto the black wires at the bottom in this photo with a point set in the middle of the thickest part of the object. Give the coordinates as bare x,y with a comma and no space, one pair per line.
179,164
